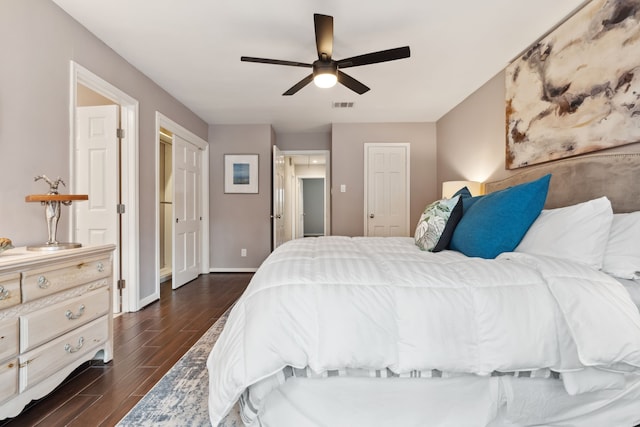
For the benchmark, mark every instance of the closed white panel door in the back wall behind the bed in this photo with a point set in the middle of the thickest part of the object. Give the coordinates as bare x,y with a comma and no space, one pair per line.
387,189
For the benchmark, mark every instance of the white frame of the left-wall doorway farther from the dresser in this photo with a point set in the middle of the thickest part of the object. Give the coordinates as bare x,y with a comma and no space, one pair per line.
203,146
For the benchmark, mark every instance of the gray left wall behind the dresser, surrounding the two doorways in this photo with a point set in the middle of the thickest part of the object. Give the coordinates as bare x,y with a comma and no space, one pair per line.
37,41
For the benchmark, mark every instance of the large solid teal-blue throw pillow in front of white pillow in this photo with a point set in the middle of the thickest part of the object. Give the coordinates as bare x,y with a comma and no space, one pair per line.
496,222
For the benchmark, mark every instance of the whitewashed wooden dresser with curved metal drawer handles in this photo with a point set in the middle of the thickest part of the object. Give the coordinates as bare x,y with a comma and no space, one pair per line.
55,314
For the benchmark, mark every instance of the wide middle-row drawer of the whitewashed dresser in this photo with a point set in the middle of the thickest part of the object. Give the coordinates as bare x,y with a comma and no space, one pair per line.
43,325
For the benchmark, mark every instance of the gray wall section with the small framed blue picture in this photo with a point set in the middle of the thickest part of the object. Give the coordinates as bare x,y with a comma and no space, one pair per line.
239,220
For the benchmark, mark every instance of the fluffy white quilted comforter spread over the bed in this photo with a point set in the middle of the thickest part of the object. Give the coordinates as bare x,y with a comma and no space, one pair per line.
375,303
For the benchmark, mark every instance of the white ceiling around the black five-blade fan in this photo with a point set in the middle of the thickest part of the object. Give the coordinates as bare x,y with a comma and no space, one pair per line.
192,49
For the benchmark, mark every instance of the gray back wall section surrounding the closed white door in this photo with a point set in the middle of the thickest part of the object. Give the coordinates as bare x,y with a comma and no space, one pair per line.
347,167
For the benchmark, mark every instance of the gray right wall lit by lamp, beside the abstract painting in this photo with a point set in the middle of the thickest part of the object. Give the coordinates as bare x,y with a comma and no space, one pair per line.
471,137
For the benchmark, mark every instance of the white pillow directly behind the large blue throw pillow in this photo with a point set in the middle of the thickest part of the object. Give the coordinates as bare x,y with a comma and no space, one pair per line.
579,232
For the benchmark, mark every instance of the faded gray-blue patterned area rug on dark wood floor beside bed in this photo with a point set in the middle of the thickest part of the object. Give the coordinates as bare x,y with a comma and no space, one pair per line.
180,397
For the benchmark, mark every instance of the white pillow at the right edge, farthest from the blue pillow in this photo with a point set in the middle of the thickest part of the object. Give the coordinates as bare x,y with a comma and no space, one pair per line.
622,255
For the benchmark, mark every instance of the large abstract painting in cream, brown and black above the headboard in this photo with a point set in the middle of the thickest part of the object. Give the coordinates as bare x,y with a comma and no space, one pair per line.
577,90
